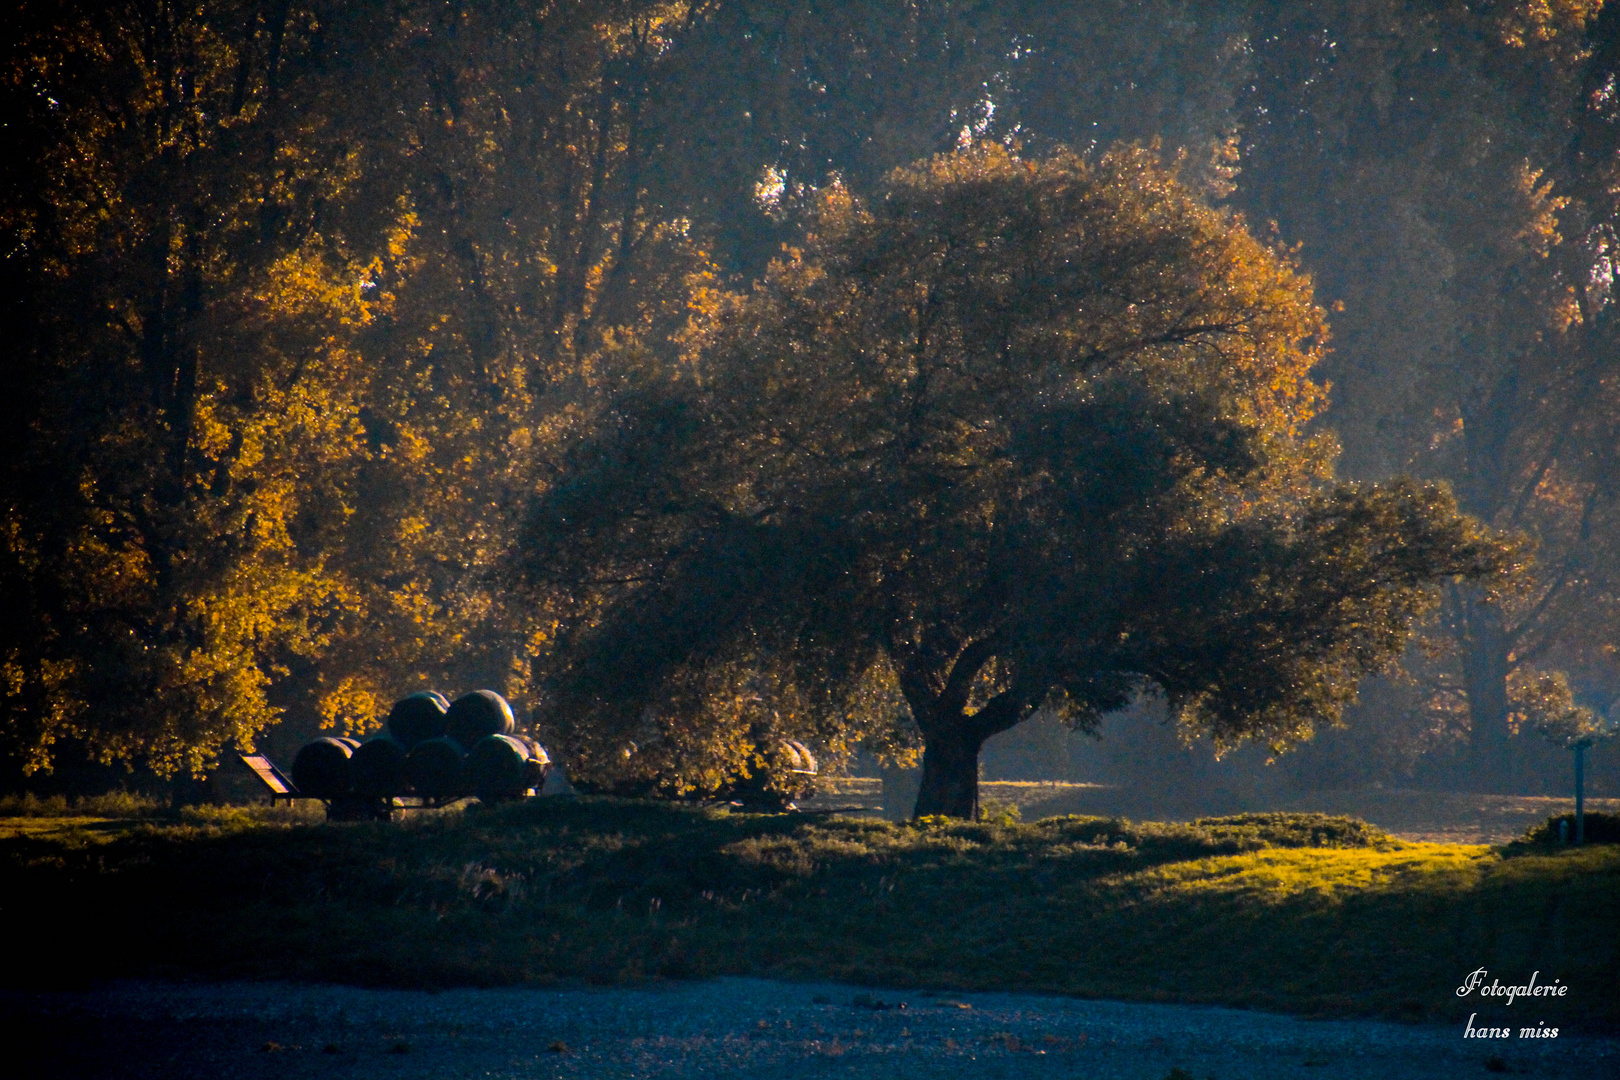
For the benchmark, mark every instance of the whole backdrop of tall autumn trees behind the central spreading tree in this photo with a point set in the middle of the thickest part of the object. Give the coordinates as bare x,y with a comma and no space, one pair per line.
305,302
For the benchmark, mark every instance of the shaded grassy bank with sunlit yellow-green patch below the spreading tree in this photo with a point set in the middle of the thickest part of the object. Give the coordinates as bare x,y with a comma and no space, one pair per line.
1294,912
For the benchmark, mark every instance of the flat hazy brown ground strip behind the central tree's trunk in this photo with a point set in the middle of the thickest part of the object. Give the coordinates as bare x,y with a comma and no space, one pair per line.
1412,815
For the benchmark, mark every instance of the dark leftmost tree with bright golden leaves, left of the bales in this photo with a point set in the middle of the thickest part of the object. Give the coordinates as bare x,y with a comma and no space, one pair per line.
189,419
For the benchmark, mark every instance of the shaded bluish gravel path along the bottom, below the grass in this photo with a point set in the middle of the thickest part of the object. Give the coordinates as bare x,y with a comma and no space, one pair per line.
735,1027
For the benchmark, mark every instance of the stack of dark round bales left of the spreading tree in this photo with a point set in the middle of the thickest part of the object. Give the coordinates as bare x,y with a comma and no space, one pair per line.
433,749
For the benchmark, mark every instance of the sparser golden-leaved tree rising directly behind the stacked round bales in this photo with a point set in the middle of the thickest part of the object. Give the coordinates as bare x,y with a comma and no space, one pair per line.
537,223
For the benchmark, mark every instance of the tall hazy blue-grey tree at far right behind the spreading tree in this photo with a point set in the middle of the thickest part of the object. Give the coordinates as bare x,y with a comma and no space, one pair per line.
1444,169
